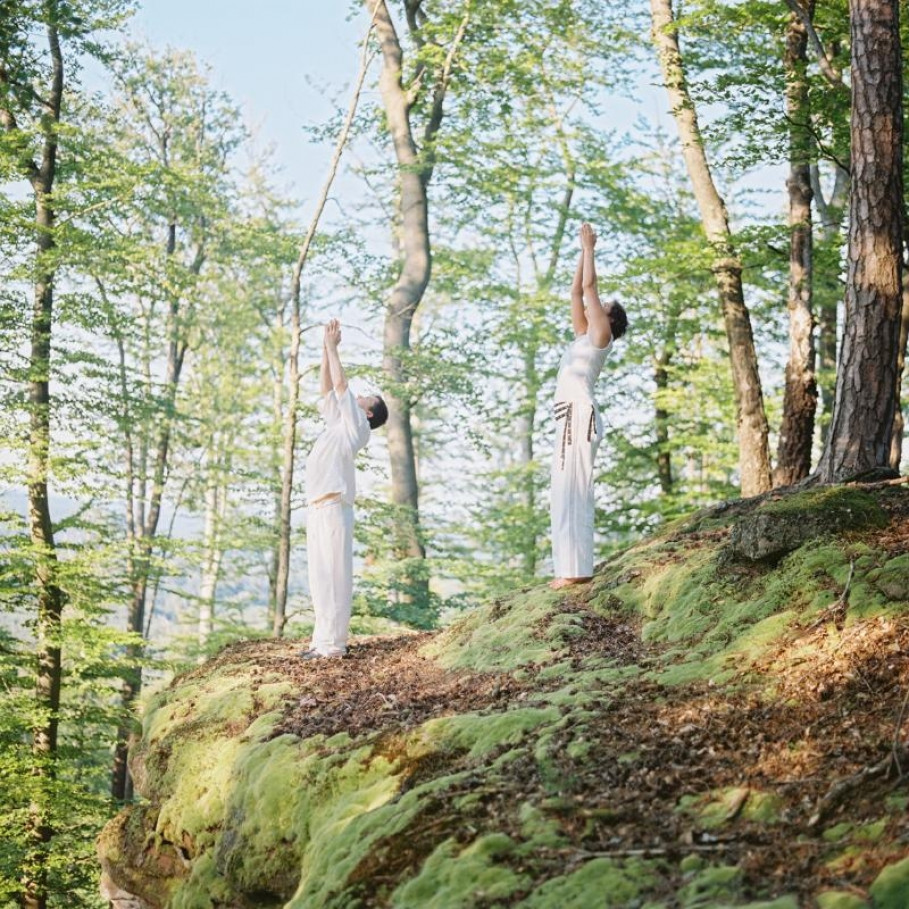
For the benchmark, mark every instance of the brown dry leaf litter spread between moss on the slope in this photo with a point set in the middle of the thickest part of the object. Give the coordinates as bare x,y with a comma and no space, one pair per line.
827,744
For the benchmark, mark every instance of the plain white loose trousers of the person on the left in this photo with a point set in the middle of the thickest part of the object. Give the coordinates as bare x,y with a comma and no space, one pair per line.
329,542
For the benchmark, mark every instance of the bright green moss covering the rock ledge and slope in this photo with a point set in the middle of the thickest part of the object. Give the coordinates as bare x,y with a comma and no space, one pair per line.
334,822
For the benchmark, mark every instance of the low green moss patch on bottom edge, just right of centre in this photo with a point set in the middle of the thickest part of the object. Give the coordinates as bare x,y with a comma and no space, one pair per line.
600,882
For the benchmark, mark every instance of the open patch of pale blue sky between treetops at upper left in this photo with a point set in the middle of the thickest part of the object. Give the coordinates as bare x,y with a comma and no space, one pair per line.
276,58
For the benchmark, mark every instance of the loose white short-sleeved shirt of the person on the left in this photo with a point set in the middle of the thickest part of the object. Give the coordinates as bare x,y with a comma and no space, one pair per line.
330,465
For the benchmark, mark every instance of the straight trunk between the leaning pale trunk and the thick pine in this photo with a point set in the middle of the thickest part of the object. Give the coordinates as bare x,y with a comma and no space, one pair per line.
800,395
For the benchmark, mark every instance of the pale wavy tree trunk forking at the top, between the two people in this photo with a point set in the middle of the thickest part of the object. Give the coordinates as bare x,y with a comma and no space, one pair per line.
414,174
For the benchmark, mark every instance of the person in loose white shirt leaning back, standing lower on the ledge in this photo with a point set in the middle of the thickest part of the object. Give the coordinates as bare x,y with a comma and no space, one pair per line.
330,492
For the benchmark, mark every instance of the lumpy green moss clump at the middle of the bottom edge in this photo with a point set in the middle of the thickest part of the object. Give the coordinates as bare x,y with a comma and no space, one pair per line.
462,878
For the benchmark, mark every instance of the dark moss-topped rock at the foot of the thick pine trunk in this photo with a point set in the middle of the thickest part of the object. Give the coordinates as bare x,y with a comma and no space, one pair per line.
779,526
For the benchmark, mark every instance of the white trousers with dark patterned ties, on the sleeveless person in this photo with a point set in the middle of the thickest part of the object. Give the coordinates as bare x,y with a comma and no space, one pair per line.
579,431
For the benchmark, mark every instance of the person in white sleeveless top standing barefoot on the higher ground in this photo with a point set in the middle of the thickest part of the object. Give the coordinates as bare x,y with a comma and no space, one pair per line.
579,428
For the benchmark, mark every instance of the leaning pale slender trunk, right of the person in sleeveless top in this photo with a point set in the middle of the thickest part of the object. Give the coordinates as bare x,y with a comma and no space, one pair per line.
754,456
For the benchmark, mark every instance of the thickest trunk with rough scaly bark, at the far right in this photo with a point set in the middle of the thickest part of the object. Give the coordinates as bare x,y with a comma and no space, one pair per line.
865,404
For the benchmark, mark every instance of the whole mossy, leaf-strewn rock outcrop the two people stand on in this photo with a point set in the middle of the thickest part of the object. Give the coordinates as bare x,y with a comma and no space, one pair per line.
716,720
